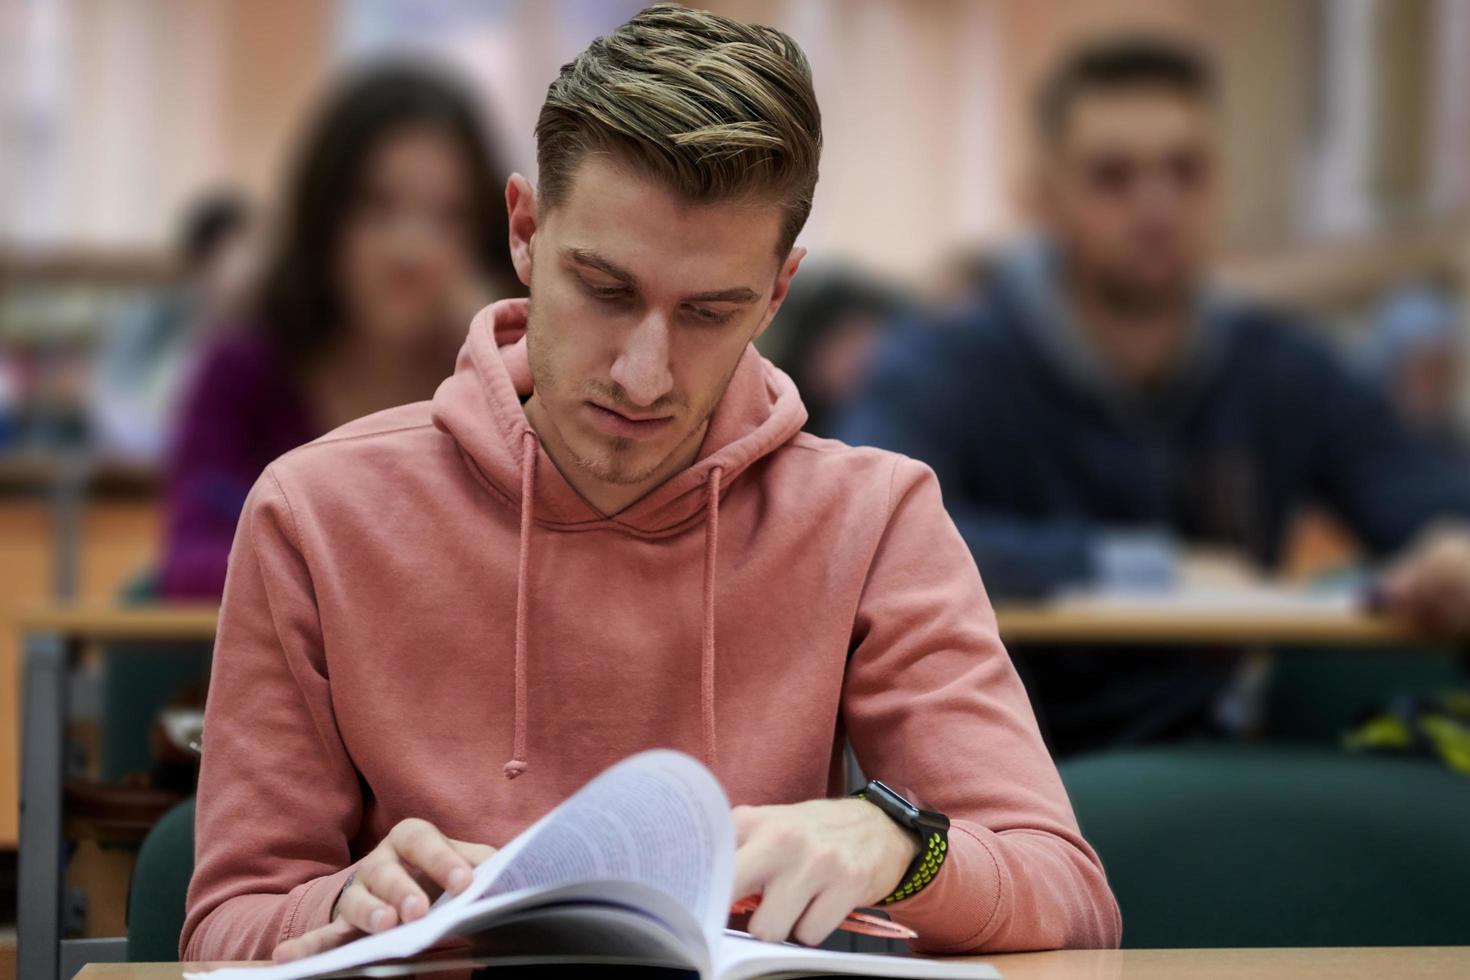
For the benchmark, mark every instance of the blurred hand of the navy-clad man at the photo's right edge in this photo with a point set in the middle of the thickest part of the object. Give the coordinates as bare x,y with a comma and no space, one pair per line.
1431,586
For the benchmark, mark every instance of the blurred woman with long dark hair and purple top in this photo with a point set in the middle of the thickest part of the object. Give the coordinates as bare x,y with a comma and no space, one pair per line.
392,236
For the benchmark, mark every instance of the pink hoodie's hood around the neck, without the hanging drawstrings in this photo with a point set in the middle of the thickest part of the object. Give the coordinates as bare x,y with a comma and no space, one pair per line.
481,408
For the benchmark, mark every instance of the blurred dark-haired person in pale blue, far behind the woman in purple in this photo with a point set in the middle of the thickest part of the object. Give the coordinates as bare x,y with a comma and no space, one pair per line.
149,346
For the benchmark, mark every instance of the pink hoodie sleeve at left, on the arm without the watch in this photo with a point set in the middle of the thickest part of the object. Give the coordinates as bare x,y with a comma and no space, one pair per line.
279,796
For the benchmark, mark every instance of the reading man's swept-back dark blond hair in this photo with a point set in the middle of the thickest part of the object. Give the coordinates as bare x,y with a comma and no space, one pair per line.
711,108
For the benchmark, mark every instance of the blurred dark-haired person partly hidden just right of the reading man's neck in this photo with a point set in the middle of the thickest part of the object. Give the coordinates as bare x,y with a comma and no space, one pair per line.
828,333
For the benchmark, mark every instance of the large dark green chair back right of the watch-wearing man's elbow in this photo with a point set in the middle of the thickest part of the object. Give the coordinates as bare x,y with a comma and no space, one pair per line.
1219,846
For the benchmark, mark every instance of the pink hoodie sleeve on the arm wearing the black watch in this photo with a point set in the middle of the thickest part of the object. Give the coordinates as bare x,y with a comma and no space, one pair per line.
936,709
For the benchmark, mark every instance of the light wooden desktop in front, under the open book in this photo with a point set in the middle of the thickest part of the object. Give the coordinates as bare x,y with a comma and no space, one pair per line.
1402,963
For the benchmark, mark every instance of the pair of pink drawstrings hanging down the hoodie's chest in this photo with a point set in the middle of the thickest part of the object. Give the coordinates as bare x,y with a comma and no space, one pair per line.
712,533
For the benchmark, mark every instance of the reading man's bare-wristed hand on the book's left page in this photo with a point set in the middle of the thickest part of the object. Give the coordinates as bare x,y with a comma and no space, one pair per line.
395,884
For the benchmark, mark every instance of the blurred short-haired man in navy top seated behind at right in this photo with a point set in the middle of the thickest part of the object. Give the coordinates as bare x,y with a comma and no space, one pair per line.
1100,415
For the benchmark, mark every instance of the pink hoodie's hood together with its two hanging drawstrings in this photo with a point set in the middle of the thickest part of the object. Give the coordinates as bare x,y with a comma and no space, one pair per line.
480,409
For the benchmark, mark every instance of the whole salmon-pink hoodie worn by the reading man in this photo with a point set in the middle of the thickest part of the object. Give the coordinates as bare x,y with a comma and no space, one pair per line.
420,606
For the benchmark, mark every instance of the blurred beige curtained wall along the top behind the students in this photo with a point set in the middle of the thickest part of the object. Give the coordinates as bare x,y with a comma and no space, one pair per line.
927,104
